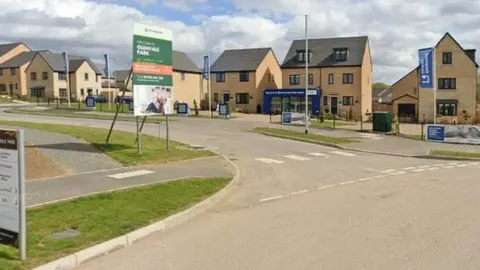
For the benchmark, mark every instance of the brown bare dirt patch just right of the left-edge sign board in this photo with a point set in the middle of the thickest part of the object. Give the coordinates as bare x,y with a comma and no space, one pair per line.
40,166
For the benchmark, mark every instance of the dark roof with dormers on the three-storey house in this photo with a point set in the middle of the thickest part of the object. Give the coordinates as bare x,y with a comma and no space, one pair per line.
322,51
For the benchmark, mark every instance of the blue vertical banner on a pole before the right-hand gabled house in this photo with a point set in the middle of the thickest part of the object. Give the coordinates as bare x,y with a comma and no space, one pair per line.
426,59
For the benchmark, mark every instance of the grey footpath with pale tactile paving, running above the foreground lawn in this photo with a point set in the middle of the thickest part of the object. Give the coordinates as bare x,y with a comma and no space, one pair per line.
62,188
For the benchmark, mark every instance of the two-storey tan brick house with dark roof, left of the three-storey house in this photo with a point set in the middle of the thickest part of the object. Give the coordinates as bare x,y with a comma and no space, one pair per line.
239,76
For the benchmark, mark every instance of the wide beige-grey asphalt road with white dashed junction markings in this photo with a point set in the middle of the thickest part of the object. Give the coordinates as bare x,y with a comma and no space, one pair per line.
303,206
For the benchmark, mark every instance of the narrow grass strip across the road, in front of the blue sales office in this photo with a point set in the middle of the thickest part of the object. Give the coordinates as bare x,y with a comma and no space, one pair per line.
300,136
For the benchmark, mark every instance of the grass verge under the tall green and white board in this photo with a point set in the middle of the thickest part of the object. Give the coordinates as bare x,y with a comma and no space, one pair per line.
122,145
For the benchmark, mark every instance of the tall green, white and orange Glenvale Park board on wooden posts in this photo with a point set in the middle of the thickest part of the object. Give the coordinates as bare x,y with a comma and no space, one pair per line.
152,70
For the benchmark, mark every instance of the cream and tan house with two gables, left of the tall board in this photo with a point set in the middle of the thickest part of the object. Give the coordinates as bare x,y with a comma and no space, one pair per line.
46,77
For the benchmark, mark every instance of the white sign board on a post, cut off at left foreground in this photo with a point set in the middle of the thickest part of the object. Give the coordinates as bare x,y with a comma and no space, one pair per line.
12,190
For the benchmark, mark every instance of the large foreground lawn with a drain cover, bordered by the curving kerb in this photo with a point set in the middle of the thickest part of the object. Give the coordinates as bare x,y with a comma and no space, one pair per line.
102,217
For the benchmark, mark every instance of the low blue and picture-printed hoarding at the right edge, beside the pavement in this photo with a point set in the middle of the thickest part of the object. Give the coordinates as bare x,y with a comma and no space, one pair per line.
465,134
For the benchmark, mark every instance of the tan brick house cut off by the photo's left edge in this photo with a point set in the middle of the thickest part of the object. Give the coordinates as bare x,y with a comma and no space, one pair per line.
10,75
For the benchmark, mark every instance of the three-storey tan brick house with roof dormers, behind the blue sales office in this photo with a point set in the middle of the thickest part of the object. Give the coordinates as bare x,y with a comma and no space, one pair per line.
341,67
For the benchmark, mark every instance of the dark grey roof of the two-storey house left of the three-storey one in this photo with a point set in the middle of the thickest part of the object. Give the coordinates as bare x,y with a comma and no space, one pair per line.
239,60
